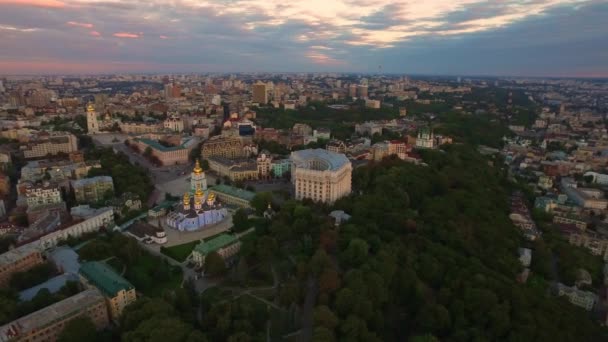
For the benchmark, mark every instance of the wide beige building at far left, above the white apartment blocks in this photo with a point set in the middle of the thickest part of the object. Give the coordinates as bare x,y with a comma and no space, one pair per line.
50,143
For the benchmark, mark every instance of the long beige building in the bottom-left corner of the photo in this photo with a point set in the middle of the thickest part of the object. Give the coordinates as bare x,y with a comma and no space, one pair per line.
48,323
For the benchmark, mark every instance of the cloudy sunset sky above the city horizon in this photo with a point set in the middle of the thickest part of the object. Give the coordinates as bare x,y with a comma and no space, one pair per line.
441,37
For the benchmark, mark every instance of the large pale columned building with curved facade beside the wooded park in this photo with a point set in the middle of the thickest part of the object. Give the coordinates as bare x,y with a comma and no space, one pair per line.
320,175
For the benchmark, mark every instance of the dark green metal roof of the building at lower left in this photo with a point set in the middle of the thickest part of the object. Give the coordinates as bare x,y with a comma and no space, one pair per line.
104,278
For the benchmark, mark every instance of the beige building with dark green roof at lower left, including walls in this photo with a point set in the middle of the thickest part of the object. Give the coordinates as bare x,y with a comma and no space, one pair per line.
116,290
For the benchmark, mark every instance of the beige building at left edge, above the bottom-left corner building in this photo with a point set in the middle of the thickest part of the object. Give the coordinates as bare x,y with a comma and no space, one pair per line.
19,259
